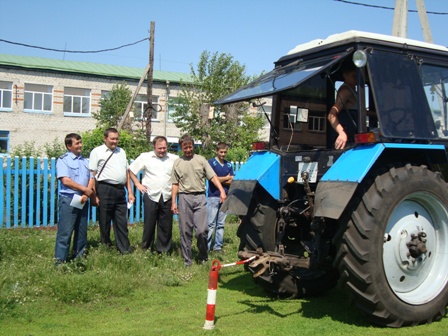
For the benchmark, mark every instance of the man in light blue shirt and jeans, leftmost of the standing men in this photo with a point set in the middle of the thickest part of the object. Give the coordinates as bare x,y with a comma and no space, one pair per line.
74,175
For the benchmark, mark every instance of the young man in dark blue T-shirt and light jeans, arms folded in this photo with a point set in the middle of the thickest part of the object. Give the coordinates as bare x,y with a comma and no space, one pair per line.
215,217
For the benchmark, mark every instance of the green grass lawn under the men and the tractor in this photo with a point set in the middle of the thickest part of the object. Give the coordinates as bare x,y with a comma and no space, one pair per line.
146,294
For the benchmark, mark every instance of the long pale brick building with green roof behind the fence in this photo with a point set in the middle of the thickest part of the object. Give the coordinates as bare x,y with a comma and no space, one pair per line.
43,99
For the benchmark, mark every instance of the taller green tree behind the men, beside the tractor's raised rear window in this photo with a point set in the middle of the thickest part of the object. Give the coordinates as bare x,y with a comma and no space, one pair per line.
216,76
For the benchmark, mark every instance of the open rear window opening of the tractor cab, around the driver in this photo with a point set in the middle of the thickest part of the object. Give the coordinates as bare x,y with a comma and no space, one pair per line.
303,110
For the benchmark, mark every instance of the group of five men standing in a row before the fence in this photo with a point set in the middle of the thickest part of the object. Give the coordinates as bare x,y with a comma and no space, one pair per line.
170,185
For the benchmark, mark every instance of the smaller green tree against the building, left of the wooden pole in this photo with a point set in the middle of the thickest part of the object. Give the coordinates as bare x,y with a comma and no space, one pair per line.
113,107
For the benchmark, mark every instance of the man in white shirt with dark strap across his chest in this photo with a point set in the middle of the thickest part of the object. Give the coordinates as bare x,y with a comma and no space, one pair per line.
111,193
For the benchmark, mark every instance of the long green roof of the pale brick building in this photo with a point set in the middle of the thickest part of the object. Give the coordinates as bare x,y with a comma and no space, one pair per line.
89,68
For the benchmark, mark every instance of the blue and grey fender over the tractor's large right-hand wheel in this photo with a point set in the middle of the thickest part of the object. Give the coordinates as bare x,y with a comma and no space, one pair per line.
336,188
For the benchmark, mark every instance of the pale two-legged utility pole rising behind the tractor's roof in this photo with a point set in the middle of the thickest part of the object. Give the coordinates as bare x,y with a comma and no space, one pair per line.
400,24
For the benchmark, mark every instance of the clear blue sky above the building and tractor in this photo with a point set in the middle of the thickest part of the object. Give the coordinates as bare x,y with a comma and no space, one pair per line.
255,32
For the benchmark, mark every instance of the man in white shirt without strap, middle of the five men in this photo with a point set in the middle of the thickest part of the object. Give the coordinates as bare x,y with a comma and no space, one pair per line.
156,189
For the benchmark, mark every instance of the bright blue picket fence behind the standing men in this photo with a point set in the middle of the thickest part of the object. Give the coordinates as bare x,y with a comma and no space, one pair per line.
29,194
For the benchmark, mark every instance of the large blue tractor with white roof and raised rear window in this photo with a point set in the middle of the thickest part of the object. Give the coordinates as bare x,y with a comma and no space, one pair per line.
373,215
